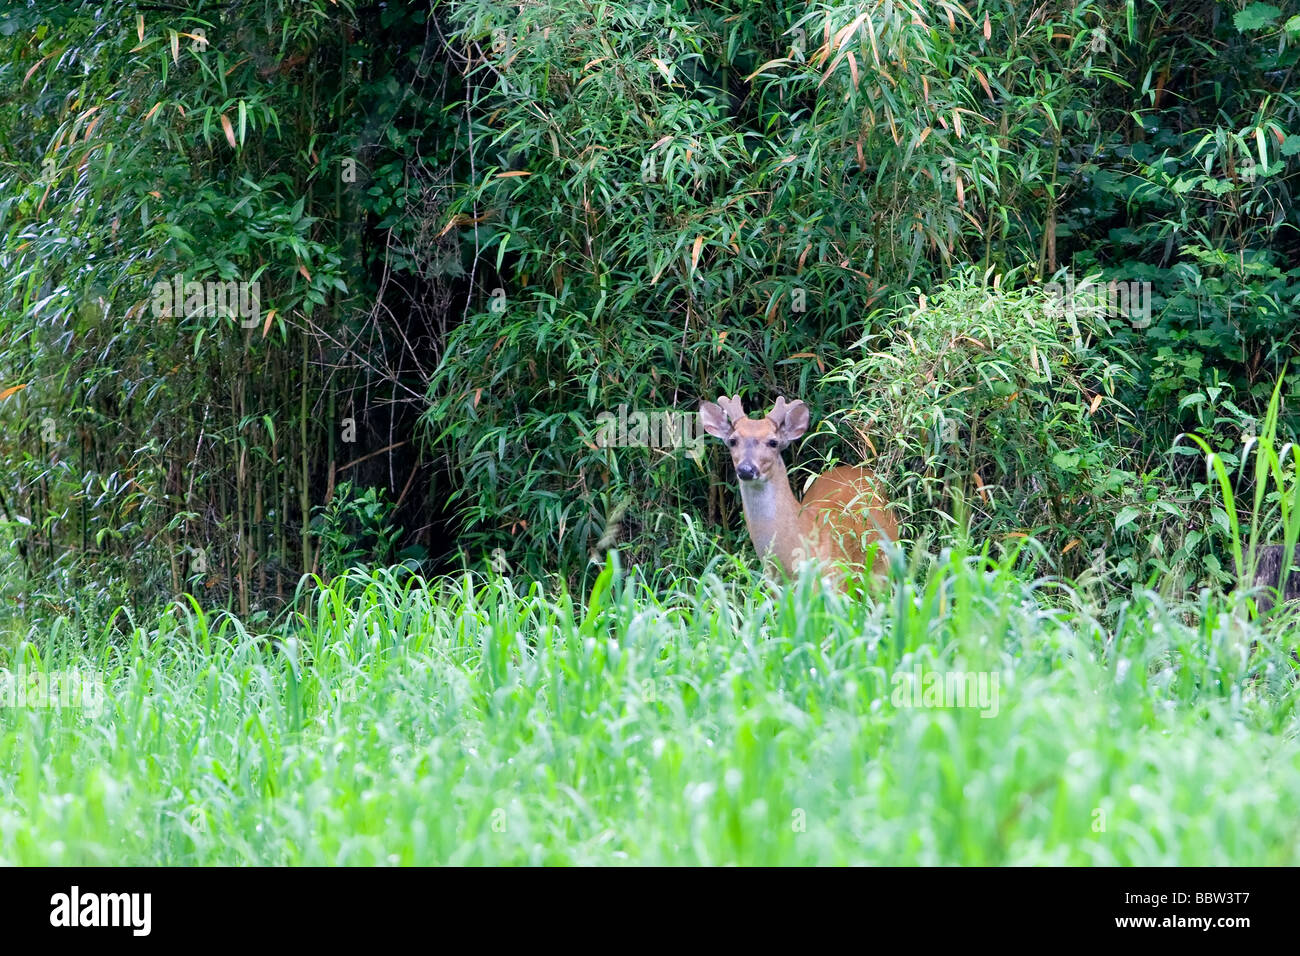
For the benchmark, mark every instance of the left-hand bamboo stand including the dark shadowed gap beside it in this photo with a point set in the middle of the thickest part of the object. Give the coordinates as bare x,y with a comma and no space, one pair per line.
257,158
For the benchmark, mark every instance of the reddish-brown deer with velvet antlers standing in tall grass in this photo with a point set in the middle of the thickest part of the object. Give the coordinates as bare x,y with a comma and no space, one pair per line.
840,516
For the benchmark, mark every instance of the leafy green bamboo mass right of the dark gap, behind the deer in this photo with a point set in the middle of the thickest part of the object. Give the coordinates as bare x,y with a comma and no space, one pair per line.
678,201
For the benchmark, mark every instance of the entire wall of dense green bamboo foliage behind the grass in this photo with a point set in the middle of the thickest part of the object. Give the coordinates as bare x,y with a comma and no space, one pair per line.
480,230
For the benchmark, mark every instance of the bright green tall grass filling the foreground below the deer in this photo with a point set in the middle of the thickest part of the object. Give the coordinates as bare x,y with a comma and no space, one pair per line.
717,723
